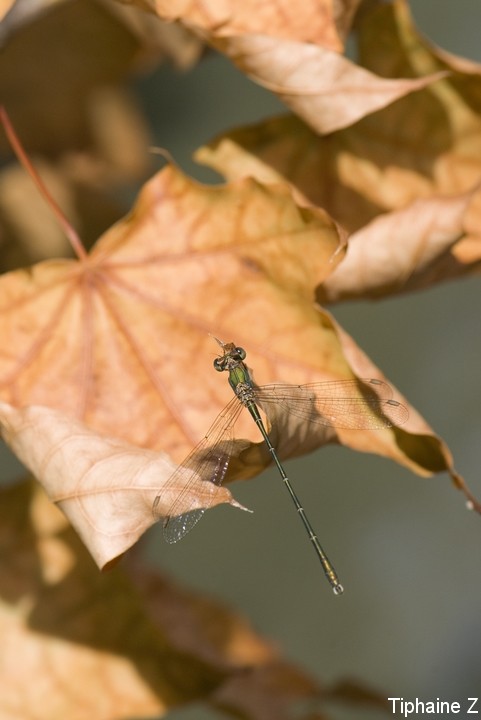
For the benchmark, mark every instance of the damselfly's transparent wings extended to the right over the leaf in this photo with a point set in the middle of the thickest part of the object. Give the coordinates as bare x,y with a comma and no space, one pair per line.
348,404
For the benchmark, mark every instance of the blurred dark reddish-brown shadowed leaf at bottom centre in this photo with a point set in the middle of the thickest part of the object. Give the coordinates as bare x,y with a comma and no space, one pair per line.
264,686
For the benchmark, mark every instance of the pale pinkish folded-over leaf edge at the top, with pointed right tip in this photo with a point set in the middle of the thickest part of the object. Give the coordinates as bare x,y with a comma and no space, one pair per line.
322,87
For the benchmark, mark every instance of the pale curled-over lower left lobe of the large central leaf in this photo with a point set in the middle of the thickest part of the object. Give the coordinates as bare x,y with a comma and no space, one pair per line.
105,486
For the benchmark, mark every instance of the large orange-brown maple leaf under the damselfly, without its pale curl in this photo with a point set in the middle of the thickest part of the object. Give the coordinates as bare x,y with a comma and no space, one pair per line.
120,339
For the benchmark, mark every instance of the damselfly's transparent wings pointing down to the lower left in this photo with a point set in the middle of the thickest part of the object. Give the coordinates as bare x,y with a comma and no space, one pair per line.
207,462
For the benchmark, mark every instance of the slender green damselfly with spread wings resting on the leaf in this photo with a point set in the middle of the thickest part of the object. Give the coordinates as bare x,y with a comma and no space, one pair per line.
348,404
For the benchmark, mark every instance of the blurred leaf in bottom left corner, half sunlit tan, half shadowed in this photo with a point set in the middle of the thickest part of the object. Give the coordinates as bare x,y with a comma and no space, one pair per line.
76,644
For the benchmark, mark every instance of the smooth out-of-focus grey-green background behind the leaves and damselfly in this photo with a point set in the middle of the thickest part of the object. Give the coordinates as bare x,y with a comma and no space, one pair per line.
407,550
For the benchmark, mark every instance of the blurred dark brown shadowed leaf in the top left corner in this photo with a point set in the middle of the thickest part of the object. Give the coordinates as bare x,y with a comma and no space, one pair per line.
56,86
